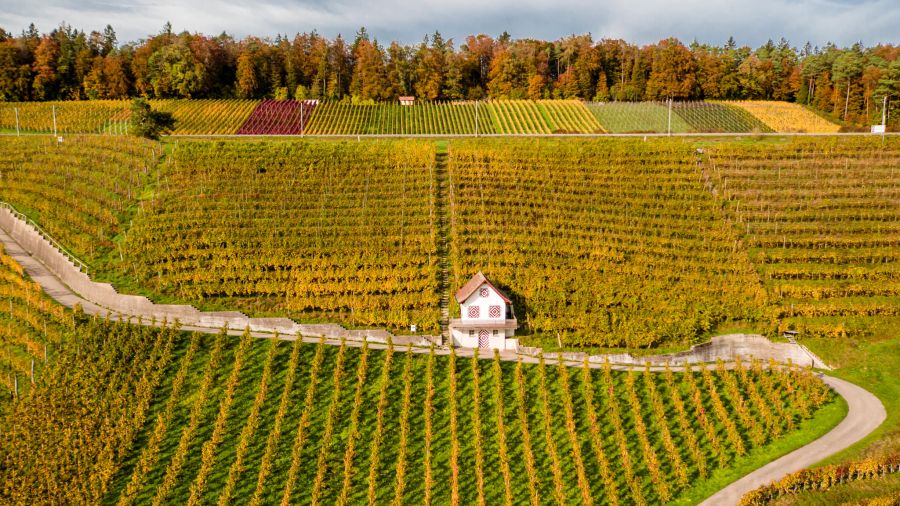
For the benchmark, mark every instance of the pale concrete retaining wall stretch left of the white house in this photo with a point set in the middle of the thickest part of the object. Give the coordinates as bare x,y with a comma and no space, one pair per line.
104,295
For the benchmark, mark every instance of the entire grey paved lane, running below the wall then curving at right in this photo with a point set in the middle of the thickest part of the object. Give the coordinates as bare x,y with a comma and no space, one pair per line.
865,412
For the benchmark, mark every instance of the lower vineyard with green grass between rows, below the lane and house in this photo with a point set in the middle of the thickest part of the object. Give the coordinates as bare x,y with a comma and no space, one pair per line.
165,418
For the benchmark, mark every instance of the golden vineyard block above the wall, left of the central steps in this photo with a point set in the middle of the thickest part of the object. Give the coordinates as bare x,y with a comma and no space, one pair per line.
339,231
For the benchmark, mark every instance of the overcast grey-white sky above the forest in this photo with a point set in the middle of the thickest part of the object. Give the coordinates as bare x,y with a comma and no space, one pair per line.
751,22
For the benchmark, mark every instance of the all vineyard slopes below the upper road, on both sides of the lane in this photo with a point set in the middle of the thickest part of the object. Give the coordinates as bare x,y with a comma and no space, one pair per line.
602,243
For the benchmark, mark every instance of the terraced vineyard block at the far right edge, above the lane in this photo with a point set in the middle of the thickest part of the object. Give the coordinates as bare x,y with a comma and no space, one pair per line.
821,218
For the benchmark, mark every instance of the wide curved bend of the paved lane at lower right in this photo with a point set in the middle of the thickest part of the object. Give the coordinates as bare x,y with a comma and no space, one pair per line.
865,414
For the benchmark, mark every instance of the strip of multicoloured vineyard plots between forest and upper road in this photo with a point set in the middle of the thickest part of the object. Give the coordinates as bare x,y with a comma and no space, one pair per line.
496,117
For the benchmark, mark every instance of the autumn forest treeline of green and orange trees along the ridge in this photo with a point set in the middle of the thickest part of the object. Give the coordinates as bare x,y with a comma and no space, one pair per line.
70,64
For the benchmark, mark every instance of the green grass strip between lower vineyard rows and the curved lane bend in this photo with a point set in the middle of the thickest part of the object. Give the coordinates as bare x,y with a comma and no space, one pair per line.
807,431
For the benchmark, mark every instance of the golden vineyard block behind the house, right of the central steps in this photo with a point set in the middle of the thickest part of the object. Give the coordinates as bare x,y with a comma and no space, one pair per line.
599,243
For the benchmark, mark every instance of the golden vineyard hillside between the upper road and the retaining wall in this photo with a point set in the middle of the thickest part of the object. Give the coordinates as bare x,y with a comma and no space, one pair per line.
599,242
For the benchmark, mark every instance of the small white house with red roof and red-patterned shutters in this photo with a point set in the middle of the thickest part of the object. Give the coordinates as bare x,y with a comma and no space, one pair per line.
486,317
